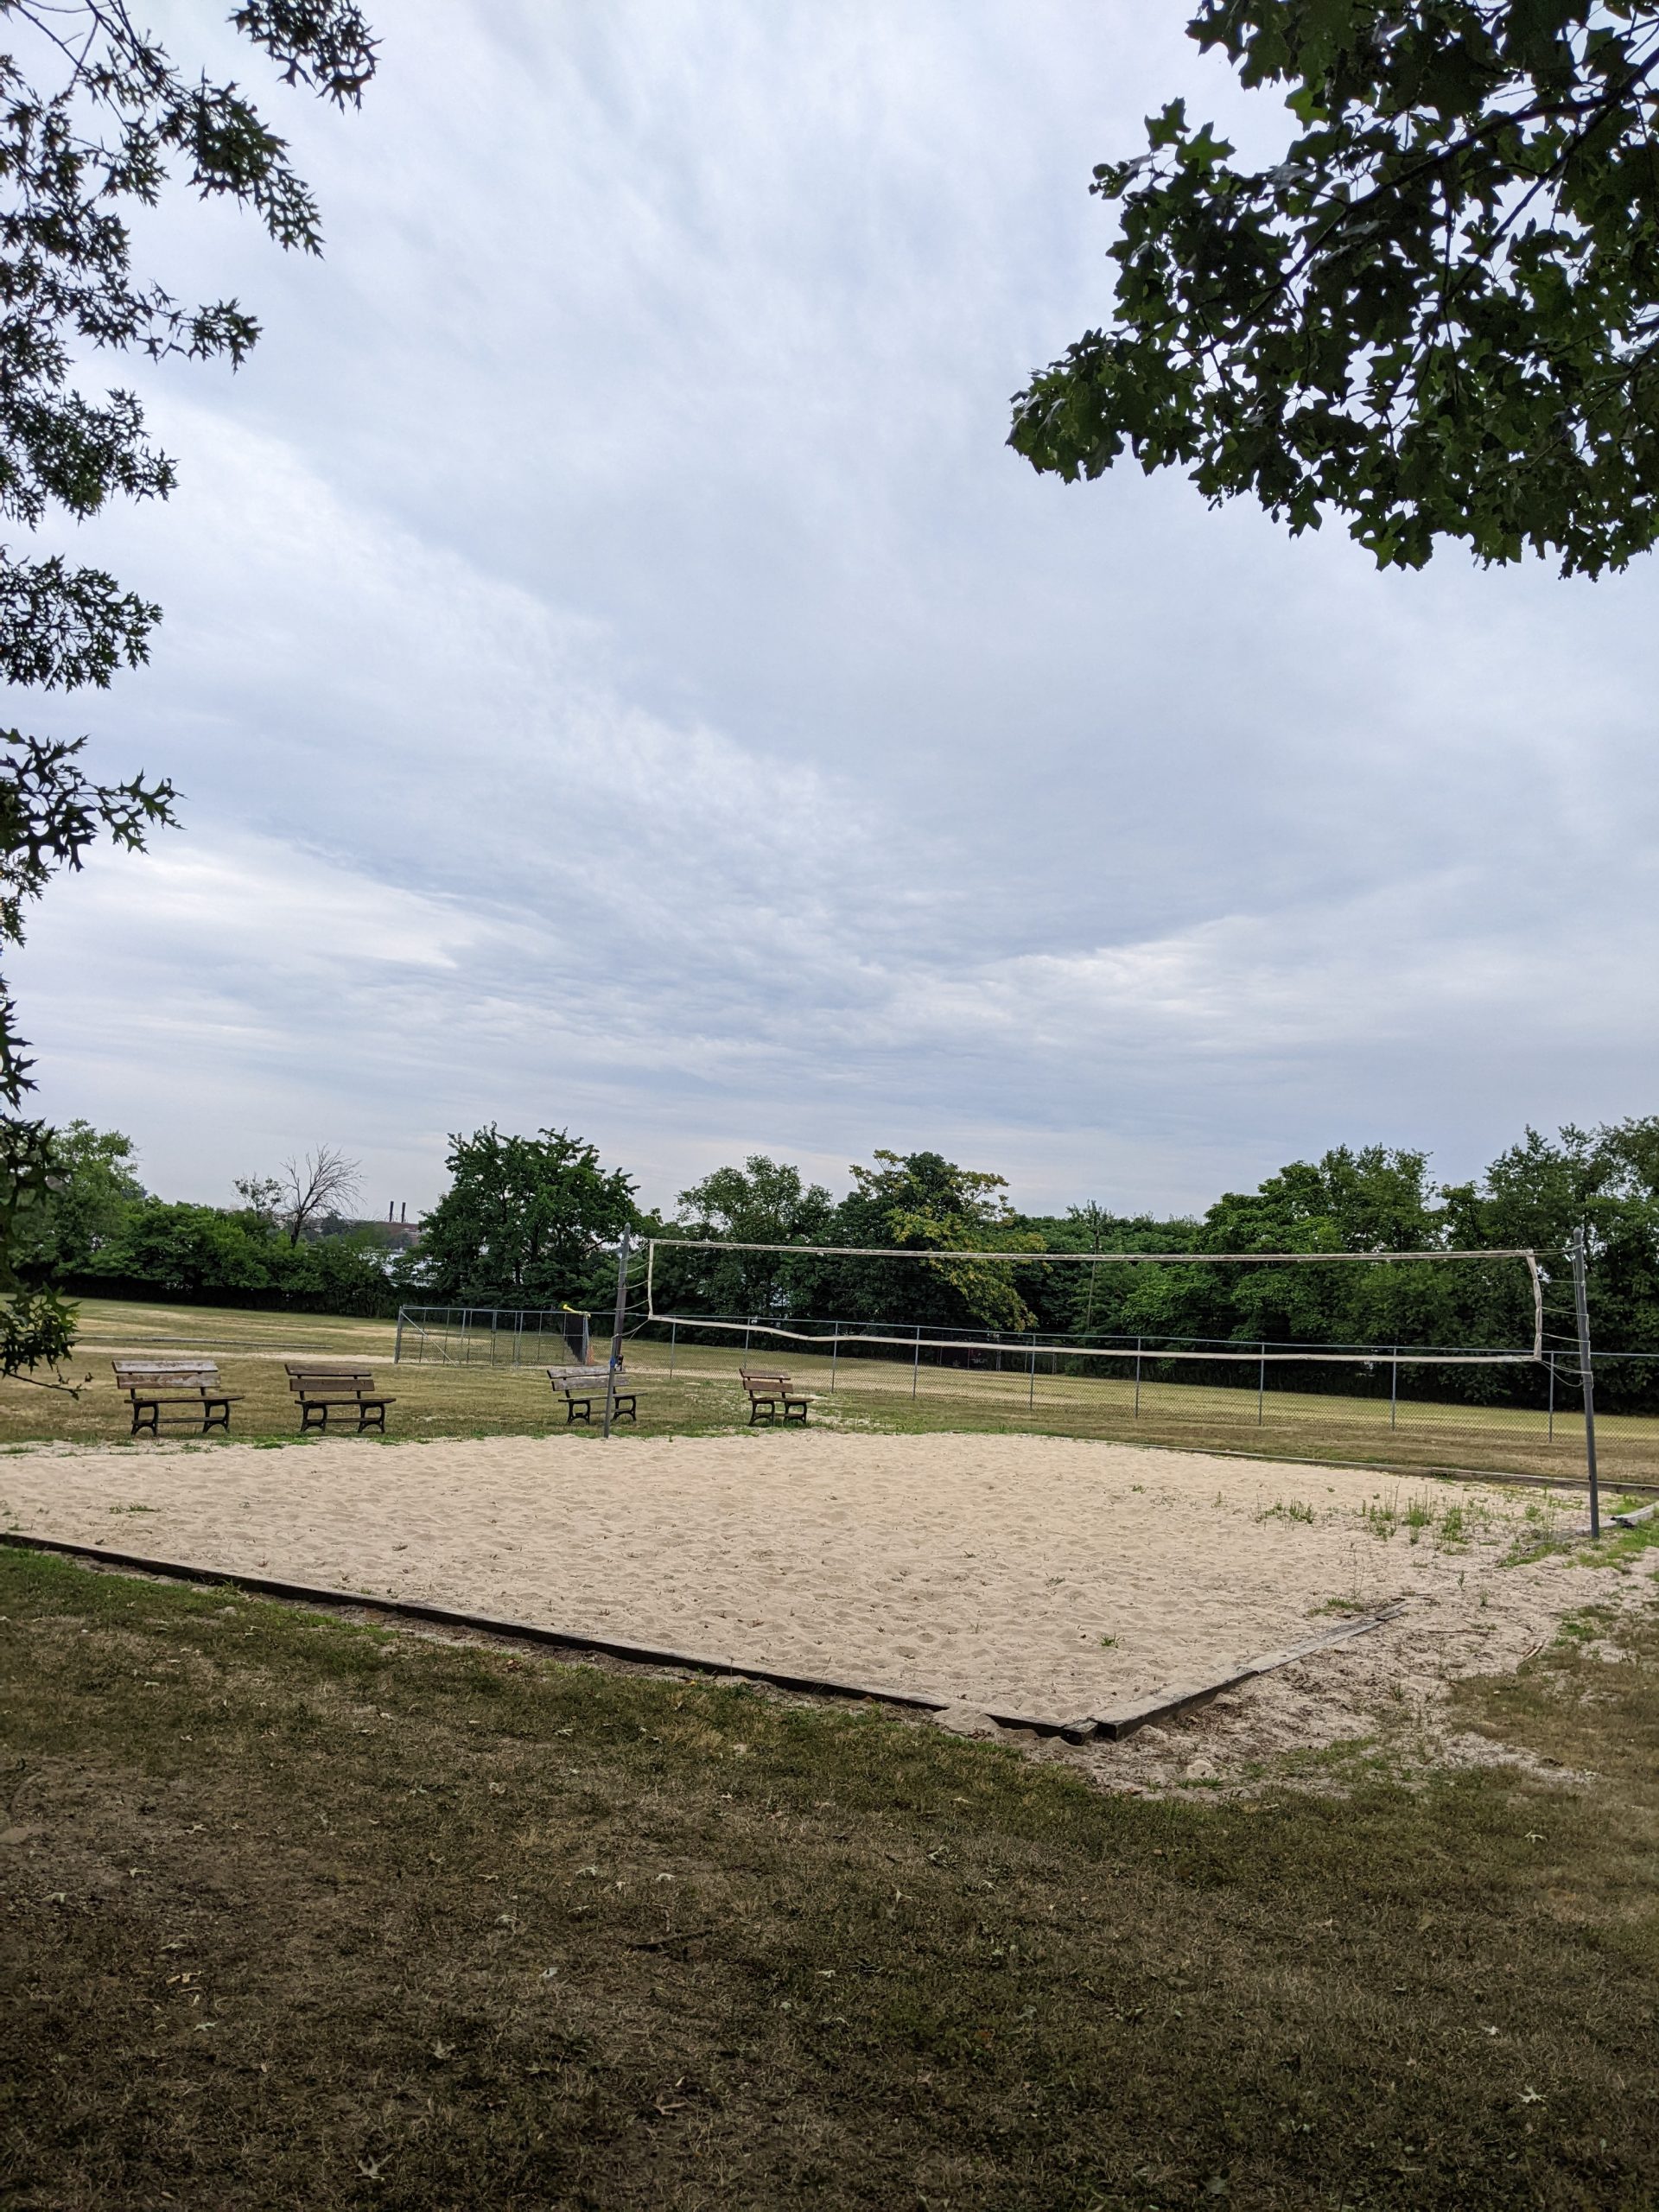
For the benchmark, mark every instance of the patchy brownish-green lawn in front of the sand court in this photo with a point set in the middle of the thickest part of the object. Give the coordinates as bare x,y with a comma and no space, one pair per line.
306,1914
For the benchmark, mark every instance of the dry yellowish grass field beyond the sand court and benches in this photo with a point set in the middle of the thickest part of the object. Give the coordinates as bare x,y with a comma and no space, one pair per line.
702,1395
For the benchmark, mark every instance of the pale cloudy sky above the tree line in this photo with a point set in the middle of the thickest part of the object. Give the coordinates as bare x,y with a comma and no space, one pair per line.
625,682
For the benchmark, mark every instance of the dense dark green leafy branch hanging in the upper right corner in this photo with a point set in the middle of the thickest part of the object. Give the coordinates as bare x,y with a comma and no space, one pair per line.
1437,313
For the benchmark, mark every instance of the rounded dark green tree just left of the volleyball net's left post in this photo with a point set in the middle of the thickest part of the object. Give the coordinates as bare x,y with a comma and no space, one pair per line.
525,1222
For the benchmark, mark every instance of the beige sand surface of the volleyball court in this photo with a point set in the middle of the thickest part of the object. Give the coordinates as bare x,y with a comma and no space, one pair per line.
1027,1576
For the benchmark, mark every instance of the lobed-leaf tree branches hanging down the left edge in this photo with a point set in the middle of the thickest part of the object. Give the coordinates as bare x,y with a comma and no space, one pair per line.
96,123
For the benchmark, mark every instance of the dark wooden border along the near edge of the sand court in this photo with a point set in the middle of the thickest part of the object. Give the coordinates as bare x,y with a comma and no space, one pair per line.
1116,1724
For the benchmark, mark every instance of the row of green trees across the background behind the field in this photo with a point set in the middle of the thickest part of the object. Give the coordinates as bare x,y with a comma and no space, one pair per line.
534,1222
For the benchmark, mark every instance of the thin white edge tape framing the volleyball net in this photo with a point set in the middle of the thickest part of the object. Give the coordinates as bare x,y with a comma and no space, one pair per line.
1112,1260
